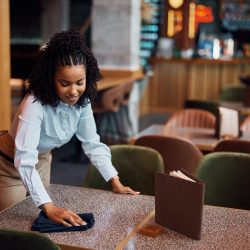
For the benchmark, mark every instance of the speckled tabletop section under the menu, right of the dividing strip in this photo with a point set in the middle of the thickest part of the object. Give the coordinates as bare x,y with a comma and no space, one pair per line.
223,228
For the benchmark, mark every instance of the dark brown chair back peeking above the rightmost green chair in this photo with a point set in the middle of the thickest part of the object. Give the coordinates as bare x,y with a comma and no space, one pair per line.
233,146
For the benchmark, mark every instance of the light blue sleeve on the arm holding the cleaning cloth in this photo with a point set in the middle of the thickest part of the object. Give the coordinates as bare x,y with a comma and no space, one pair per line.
26,153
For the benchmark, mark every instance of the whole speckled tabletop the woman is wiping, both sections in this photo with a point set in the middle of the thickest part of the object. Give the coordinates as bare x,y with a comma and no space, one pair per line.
119,216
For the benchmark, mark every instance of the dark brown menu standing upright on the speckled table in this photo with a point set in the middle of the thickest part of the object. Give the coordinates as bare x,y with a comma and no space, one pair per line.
179,204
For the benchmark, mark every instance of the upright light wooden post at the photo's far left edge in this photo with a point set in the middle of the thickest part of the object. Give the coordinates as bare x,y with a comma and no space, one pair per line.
4,65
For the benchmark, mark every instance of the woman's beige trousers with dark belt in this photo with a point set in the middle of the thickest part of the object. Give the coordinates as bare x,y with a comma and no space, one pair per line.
11,186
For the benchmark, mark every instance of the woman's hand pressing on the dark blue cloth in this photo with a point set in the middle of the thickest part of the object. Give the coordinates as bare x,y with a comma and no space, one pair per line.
62,216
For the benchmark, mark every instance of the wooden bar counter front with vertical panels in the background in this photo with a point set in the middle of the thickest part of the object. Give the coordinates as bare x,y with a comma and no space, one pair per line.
176,80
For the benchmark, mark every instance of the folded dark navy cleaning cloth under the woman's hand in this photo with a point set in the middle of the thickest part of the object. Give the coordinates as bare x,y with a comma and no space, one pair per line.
44,225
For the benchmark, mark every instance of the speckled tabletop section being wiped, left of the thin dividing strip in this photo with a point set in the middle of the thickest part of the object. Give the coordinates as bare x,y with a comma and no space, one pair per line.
115,215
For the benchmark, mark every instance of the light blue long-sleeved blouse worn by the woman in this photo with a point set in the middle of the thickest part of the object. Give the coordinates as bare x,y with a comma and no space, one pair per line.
39,128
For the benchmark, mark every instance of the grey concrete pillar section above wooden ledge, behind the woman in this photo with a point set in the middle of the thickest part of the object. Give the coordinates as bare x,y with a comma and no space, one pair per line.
116,44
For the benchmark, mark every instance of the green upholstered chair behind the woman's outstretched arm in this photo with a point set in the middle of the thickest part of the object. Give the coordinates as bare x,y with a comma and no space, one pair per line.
136,166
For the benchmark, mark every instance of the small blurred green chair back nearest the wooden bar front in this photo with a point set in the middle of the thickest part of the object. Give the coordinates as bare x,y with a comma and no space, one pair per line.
232,93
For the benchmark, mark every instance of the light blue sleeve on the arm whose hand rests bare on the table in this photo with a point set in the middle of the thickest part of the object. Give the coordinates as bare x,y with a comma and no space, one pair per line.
97,152
